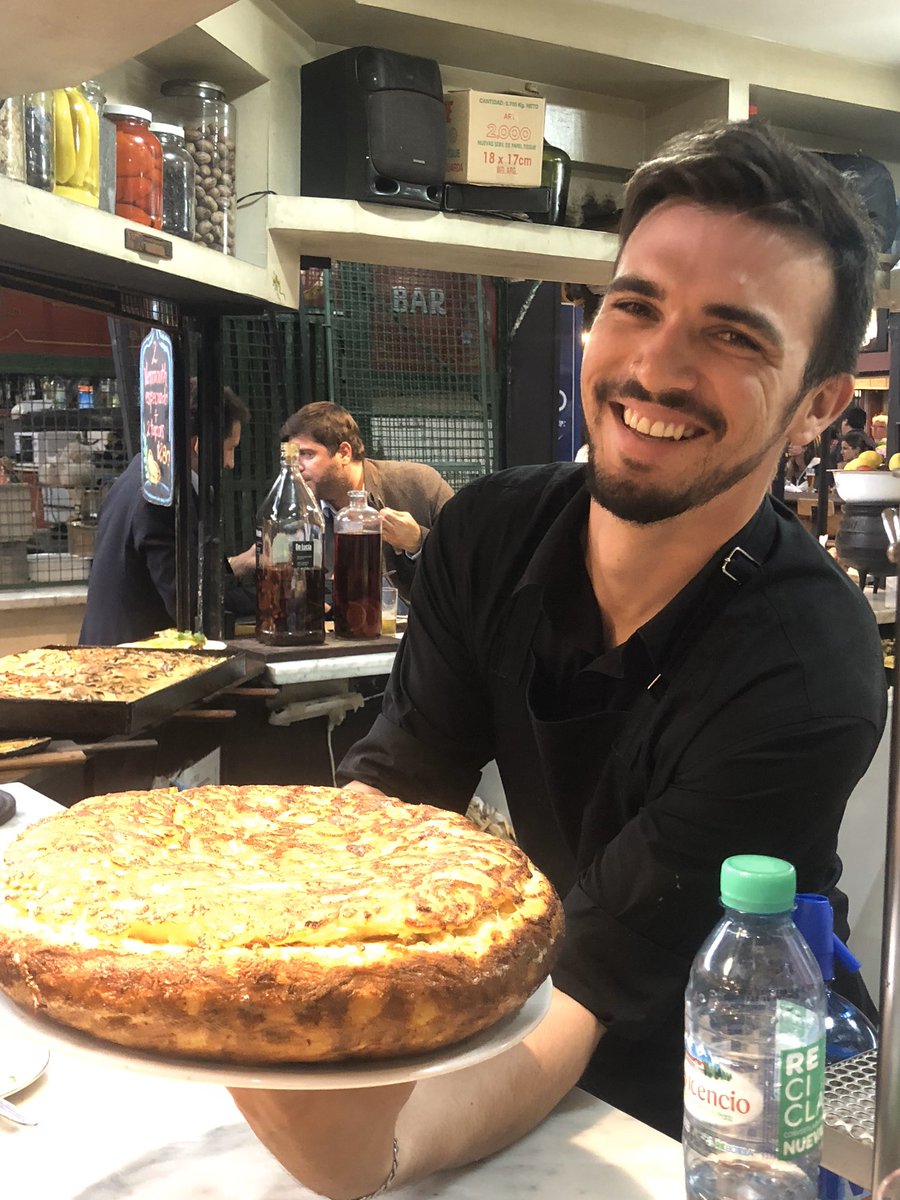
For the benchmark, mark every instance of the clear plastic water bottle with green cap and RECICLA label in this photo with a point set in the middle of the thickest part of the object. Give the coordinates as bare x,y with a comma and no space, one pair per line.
754,1069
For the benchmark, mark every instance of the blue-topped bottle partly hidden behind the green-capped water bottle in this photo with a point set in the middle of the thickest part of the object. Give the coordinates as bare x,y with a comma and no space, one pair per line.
849,1033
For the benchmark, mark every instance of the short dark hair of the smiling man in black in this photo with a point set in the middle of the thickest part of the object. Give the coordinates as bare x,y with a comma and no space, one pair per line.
749,169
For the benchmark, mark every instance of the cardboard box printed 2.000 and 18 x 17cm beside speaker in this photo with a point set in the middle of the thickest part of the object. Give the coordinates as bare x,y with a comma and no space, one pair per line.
494,139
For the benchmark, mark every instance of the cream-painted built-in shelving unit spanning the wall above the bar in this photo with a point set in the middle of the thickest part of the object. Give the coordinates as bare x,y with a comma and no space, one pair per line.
628,79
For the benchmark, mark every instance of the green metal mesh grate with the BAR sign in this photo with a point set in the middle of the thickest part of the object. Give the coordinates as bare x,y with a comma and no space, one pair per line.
412,355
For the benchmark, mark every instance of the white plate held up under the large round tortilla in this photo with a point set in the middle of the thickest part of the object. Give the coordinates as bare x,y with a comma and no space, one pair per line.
299,1077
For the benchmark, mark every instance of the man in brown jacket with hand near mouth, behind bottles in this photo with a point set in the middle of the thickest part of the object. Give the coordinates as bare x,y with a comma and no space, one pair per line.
333,461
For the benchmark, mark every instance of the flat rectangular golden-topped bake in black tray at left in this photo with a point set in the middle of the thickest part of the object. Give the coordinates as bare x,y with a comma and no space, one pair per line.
95,673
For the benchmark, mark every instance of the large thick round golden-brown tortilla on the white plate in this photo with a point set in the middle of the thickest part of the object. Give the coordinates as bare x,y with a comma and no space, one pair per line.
272,925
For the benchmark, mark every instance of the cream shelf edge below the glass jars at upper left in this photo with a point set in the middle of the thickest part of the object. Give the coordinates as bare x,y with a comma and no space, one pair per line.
47,236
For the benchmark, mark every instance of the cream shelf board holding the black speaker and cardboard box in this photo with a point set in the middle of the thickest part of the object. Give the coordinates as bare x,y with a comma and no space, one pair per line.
399,237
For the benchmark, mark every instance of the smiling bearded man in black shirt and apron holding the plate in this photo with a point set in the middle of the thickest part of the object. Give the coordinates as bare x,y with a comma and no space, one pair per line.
638,643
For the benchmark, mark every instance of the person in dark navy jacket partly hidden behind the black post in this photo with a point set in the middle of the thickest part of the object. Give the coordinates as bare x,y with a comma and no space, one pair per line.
131,590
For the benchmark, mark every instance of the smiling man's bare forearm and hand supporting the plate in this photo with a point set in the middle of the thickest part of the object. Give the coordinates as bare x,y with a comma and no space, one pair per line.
340,1143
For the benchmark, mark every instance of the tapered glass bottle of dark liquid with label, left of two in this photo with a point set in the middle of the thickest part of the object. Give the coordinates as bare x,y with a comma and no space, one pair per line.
291,563
